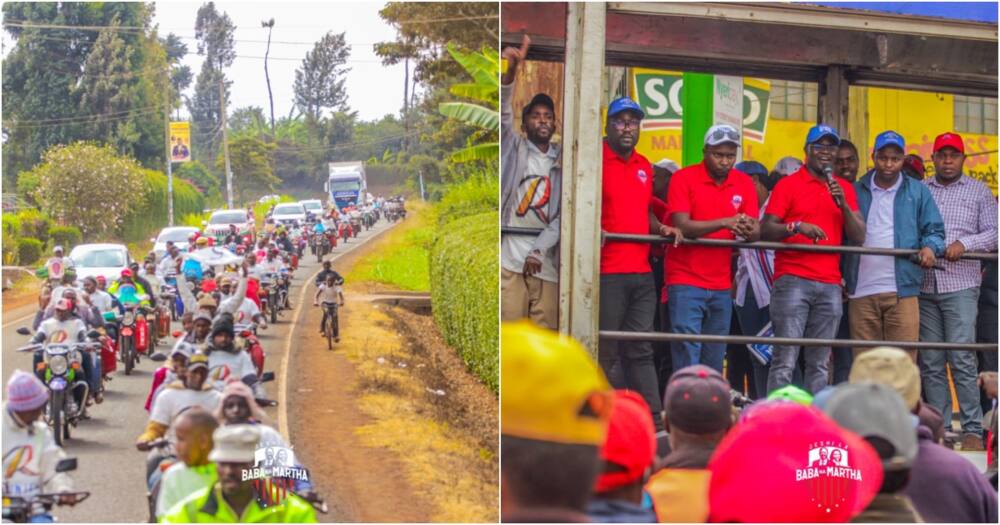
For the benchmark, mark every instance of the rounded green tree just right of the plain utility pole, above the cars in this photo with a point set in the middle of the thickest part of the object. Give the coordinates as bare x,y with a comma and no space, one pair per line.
252,162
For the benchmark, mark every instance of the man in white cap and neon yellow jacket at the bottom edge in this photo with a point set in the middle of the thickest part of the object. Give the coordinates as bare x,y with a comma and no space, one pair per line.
233,499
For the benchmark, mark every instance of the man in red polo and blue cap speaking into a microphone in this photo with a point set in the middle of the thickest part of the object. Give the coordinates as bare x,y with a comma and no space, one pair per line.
810,206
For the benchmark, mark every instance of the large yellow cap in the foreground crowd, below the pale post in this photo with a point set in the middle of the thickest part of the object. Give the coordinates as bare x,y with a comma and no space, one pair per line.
551,389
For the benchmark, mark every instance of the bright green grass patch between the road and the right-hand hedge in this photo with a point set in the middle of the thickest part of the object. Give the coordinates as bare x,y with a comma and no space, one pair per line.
402,257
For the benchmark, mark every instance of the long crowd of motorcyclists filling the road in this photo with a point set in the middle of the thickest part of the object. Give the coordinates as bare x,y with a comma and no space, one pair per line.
211,384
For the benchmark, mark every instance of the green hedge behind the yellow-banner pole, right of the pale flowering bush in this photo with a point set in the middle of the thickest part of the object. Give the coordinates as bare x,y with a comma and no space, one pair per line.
153,216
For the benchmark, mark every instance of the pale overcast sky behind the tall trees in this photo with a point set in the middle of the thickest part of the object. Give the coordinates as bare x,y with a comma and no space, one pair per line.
373,90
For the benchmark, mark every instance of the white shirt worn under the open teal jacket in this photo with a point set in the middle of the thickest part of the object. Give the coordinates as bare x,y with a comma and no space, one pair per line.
877,273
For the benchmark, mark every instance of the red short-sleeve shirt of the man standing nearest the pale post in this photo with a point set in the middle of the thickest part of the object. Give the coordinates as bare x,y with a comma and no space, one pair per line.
626,191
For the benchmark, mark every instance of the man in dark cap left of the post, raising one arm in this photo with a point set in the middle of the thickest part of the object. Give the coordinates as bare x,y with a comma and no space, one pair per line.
532,188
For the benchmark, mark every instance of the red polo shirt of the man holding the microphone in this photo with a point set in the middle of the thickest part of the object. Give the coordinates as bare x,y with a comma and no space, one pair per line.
803,197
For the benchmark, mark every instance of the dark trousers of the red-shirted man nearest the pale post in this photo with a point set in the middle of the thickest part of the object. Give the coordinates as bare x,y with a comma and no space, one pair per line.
628,303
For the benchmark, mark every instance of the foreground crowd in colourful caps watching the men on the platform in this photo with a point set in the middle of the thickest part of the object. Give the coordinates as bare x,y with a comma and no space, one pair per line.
575,449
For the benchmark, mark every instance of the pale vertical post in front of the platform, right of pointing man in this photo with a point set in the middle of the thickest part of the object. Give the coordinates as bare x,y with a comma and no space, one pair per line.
580,246
